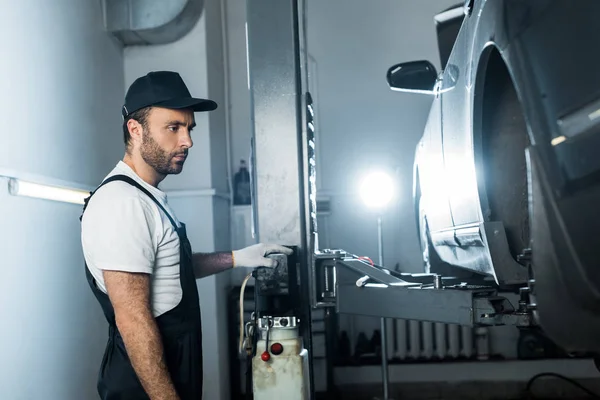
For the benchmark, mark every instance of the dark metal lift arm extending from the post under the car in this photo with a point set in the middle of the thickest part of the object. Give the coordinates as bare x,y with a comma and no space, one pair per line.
353,286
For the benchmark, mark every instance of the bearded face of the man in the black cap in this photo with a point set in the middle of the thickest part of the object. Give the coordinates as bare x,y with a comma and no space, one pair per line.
166,139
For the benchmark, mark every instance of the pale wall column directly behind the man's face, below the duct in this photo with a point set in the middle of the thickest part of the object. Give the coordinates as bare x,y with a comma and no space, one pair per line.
198,58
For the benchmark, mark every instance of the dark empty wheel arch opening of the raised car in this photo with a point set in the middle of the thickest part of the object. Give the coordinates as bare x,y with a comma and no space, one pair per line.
495,140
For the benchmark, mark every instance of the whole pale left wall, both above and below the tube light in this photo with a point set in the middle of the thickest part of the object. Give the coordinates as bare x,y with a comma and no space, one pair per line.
61,79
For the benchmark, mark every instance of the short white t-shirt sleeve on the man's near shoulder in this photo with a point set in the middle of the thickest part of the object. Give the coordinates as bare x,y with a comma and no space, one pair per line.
117,232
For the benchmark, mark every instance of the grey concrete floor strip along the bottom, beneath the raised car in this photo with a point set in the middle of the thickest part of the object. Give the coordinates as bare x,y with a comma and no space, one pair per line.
504,380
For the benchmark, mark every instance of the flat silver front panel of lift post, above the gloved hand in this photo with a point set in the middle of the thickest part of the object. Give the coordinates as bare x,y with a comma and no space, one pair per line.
275,90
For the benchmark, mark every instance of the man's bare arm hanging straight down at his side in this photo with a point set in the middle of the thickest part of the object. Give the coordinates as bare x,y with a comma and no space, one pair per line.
129,294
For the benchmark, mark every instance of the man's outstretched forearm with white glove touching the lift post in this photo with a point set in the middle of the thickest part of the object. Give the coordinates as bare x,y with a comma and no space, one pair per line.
206,264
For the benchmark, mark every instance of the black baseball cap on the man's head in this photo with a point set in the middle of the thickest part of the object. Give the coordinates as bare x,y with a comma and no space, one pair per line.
162,89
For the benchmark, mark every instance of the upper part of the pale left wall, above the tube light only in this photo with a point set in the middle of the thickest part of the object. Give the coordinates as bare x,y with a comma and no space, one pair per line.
62,85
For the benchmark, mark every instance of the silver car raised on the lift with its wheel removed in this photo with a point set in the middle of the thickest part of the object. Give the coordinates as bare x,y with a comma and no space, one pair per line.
507,171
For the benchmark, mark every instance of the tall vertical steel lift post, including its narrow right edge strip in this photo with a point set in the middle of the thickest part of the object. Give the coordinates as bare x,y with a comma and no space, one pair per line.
280,157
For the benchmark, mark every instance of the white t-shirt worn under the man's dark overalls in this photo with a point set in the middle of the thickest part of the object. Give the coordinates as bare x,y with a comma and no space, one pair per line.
123,229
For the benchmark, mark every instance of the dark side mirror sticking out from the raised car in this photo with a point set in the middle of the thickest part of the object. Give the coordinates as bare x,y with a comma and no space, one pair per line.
413,77
